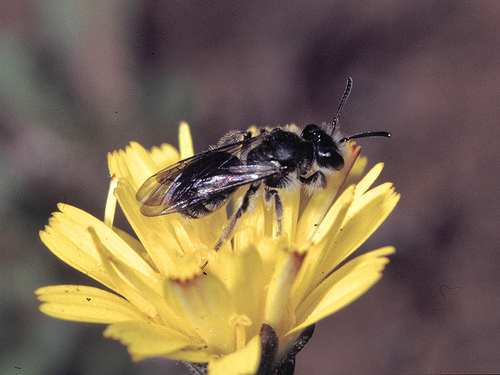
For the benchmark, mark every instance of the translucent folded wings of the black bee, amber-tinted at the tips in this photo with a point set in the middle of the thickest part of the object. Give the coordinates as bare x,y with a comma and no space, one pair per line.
198,179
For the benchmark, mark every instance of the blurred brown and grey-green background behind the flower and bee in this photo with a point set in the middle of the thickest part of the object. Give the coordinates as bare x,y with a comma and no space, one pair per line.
81,78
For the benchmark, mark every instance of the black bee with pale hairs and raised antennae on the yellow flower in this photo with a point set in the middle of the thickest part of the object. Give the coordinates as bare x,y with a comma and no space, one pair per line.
277,158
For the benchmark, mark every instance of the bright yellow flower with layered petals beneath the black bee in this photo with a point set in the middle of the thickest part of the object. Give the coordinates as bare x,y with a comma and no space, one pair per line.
252,303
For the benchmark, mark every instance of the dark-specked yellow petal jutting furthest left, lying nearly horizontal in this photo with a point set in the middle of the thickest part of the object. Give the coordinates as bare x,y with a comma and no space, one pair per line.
86,304
